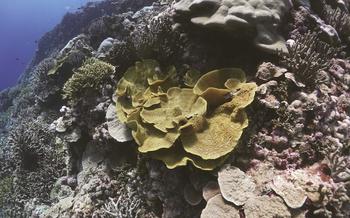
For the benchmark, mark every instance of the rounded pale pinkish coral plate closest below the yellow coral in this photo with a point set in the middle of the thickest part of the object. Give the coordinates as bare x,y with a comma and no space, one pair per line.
235,185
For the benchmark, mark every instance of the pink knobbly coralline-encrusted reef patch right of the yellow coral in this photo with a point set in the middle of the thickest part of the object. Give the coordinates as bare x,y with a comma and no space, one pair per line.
310,121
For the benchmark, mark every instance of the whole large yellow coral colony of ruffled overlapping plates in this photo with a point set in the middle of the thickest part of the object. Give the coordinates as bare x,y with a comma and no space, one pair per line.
201,123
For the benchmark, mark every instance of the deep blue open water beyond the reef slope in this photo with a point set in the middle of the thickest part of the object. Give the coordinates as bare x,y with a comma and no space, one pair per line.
22,23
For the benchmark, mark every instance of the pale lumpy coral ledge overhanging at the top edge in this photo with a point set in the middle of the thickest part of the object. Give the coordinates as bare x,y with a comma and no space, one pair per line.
262,15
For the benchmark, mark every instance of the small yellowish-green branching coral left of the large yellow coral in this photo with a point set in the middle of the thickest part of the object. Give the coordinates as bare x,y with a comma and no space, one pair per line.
90,76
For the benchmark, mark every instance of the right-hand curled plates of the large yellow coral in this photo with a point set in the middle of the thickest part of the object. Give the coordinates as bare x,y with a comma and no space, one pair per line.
225,125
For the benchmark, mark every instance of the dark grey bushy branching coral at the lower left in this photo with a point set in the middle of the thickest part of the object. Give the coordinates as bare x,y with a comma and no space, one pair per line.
37,164
